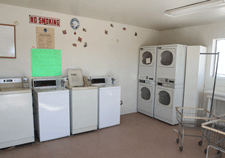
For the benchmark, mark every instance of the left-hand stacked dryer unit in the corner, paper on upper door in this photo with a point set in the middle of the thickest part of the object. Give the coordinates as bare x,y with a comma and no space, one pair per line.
147,75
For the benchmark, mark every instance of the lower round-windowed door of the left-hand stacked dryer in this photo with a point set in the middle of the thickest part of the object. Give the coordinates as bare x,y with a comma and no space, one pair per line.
145,93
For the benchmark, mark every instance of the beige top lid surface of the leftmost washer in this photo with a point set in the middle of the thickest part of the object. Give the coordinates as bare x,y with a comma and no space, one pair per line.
7,91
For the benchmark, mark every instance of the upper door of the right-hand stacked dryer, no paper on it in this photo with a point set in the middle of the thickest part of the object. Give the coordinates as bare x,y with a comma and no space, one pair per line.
166,57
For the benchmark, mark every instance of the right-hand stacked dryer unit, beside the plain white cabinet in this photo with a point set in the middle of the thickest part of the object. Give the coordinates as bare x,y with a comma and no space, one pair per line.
169,82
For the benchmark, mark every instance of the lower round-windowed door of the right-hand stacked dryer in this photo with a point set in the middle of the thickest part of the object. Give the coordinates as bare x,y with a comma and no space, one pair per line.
164,97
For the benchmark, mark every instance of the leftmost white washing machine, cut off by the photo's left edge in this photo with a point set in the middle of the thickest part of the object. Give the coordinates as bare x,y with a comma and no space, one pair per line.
16,113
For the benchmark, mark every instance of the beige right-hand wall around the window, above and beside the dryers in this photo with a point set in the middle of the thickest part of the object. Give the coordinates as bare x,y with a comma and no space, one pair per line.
198,35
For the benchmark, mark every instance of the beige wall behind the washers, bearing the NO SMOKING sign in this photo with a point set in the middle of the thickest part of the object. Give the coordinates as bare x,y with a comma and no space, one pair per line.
103,56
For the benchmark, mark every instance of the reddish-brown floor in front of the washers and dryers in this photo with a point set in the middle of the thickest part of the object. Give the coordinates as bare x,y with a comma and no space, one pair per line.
138,136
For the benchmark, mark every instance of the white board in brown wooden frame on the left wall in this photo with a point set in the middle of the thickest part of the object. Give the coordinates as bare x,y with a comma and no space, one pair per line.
7,41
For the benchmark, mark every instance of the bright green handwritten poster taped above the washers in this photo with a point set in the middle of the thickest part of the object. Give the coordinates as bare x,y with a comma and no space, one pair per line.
46,62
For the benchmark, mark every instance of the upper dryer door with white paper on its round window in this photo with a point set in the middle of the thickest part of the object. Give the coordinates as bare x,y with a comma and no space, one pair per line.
147,57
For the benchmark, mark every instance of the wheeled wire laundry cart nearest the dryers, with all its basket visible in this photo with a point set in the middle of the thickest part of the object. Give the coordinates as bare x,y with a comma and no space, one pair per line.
191,118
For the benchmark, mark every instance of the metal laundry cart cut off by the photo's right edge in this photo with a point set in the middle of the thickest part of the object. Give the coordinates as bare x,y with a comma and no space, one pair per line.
214,132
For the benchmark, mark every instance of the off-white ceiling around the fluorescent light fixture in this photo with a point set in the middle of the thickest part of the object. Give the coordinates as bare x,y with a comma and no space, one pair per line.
143,13
